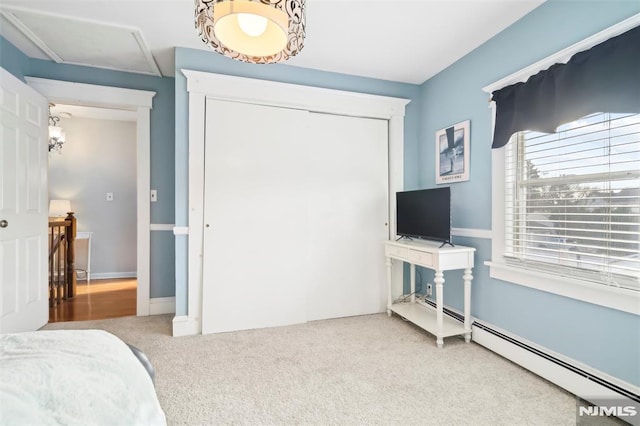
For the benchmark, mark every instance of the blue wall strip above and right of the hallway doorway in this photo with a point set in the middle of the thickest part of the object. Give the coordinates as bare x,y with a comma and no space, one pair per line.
162,144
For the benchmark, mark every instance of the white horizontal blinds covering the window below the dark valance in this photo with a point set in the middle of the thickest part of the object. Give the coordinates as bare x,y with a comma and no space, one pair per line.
572,200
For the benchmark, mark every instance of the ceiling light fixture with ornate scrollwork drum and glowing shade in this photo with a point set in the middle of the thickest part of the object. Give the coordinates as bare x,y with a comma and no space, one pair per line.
255,31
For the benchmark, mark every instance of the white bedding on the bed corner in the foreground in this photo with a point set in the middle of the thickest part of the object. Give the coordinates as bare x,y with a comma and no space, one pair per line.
74,377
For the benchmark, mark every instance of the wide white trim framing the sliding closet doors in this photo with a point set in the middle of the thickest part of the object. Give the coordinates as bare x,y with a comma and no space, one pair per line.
201,85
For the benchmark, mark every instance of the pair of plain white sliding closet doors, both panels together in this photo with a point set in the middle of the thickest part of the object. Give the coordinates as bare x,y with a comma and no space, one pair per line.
295,213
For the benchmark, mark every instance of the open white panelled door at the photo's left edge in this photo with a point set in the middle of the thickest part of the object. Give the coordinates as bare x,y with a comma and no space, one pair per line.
23,207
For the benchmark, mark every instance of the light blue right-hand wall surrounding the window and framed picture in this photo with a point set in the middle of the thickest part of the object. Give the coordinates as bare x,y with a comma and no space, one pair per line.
605,339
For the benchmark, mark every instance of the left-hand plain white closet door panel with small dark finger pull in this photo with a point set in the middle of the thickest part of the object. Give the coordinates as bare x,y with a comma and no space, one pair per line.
255,217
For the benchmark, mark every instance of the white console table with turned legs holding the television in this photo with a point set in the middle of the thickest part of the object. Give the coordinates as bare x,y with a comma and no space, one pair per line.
429,255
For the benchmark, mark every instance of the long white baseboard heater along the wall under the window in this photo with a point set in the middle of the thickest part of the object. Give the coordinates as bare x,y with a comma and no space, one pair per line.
579,381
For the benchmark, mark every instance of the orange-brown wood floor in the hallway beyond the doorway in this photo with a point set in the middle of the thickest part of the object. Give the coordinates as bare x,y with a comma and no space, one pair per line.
101,299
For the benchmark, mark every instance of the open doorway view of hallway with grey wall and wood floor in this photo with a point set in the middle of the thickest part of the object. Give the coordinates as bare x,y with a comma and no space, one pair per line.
94,172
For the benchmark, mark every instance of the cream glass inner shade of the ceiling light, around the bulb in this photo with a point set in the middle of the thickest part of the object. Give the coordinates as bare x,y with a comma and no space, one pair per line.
229,31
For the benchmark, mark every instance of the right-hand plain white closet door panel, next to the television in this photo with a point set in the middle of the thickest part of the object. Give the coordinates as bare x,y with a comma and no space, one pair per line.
348,212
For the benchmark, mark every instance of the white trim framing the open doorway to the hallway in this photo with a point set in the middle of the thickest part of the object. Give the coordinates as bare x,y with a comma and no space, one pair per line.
140,101
